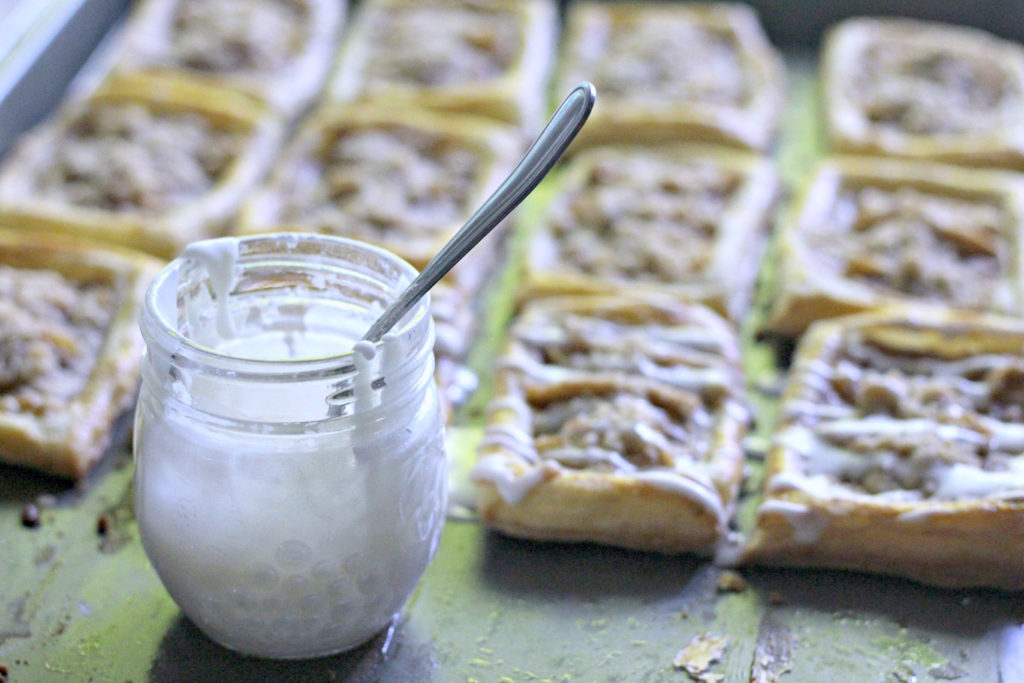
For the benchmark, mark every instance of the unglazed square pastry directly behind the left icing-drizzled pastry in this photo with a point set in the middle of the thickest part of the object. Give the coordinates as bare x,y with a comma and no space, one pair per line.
686,221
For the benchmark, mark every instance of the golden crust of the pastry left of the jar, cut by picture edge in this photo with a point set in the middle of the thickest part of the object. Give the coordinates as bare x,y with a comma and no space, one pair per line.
68,441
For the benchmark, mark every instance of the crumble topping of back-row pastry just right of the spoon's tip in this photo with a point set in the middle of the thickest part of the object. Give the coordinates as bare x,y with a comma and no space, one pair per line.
656,59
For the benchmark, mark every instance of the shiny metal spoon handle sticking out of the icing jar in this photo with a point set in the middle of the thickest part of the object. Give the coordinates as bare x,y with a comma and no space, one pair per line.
562,130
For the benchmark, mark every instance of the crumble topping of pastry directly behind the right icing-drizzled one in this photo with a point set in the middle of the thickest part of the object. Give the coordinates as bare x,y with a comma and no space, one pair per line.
916,244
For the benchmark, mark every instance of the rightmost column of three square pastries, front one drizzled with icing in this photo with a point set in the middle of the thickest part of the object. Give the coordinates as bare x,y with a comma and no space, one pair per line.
898,448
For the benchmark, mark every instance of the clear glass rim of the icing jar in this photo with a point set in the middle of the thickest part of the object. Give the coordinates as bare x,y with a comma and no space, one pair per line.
161,300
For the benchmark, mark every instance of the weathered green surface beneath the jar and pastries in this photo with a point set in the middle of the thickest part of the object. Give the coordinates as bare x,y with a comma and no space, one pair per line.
78,607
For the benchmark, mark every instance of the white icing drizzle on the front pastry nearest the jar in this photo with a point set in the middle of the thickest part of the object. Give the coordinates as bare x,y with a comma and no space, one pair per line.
552,349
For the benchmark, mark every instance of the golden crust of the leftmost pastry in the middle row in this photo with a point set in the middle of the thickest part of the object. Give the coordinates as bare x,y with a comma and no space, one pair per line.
161,233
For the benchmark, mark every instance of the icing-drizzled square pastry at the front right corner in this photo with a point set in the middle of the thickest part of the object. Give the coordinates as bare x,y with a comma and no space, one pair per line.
901,451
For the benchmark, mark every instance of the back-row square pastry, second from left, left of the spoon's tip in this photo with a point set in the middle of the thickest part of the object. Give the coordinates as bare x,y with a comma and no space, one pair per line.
488,58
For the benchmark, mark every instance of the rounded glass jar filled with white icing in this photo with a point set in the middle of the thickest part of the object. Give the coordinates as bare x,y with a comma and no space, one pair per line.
284,524
